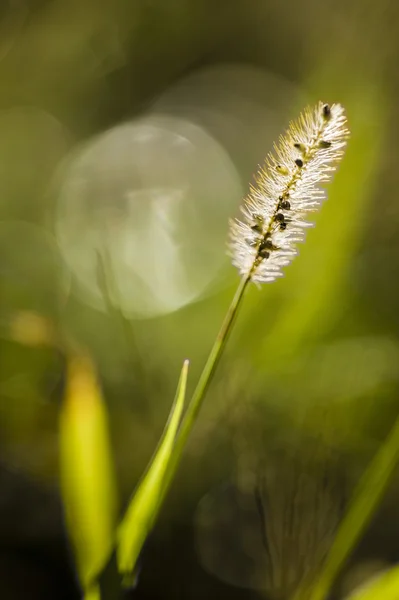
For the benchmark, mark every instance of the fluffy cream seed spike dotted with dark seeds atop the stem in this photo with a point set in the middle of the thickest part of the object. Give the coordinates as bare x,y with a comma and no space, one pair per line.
286,190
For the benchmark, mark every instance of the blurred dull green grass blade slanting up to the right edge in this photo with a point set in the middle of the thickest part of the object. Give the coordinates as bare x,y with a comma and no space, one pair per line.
365,500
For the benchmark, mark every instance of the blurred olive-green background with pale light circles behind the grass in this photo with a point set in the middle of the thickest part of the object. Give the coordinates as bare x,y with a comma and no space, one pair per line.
129,133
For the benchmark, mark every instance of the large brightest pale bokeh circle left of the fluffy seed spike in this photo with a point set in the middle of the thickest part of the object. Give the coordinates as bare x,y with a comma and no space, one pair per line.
142,215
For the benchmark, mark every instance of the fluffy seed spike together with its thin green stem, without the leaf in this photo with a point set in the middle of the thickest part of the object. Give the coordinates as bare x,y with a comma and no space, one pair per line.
274,221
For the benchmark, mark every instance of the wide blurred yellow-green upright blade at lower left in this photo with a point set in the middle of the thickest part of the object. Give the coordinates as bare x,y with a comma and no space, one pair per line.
86,469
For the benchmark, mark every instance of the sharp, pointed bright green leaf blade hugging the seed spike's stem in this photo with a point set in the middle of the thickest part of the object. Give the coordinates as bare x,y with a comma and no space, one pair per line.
147,499
